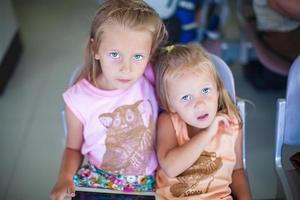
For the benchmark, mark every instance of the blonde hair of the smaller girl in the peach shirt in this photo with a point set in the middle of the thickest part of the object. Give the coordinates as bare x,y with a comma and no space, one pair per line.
178,58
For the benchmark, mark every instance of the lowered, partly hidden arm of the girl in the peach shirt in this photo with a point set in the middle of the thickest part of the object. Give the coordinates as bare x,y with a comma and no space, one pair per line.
239,185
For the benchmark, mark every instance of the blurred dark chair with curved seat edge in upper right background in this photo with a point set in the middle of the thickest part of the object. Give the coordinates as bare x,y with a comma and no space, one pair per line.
249,37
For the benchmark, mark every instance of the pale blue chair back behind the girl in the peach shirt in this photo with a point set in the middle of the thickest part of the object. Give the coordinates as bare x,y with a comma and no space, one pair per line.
228,80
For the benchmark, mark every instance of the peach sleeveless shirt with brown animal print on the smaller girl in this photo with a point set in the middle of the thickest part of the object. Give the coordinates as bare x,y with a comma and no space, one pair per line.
210,176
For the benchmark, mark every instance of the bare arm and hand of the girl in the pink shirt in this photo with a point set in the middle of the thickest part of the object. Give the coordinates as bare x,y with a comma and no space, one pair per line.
72,159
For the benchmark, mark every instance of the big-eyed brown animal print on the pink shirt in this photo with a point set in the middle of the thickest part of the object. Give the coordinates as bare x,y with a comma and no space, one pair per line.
130,138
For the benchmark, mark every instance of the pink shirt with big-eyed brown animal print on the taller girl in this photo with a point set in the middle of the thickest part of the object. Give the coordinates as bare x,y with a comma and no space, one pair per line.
118,126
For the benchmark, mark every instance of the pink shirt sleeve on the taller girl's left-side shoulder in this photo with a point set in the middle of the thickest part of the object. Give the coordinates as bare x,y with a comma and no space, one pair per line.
73,99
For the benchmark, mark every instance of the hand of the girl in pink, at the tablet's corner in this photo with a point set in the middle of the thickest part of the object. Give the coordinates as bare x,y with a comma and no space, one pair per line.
63,189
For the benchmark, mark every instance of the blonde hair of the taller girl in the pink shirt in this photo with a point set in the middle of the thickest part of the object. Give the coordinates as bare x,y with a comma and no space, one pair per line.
135,14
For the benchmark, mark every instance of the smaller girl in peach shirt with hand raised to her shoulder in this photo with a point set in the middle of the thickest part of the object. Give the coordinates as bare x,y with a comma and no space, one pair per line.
199,141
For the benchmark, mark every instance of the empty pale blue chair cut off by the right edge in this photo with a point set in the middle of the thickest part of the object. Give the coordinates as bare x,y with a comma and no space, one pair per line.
288,131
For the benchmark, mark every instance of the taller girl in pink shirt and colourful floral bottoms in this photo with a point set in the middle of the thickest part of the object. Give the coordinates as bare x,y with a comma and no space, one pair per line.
111,109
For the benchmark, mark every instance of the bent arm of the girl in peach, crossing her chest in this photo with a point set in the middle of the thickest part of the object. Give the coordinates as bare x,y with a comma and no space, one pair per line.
175,159
